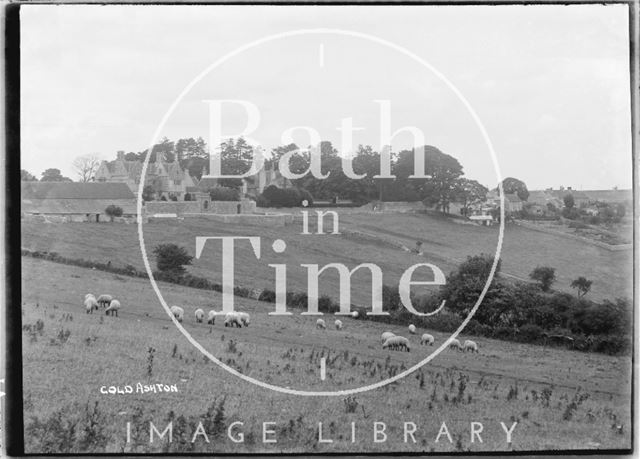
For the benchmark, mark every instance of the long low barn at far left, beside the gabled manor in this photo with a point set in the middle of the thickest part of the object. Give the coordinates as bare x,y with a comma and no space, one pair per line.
75,202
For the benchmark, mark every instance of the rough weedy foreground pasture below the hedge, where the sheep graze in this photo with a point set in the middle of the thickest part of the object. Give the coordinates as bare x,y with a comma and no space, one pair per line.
560,399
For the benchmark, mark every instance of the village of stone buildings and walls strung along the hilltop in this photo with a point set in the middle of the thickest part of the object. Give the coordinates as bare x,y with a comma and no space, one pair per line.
171,191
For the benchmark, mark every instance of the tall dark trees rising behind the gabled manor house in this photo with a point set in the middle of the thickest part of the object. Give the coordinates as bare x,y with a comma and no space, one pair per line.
447,182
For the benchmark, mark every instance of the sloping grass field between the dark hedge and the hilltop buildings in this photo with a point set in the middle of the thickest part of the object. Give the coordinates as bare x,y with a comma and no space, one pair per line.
445,244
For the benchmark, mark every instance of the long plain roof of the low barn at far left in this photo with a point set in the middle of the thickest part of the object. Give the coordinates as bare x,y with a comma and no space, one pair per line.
73,190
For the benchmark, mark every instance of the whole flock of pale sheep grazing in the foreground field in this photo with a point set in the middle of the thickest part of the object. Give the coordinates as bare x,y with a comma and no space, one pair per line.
242,319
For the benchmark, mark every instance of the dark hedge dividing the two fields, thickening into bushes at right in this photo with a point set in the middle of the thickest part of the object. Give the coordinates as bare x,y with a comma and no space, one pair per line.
510,311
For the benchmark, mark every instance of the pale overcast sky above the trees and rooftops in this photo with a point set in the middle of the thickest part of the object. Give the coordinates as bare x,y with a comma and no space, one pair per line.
549,83
